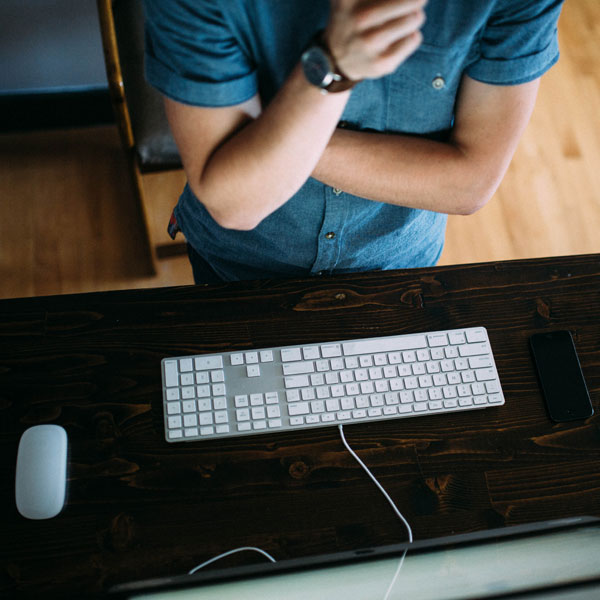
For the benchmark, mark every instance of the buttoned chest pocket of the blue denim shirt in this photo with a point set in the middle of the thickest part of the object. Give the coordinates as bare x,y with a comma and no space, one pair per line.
422,91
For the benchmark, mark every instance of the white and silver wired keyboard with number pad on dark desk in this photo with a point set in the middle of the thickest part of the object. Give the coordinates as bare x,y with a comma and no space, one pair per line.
253,392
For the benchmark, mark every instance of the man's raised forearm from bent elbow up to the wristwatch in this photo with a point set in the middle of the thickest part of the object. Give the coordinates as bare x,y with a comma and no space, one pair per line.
259,168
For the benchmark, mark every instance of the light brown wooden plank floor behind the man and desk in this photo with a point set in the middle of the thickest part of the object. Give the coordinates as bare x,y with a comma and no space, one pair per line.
69,223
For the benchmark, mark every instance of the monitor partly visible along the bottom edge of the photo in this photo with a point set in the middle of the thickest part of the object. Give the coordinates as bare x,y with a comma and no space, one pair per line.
560,557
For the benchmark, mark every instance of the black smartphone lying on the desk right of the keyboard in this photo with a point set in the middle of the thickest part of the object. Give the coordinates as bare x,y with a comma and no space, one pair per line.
563,386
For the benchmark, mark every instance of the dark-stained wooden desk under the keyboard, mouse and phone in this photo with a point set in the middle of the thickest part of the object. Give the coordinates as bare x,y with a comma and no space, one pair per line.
138,507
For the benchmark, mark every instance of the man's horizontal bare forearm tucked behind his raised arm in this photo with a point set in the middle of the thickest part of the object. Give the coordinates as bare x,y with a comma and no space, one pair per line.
406,171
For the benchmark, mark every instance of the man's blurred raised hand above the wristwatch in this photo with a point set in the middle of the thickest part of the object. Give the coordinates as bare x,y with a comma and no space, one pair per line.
372,38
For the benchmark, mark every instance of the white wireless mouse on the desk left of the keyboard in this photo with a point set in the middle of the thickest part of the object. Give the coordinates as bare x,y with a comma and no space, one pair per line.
41,479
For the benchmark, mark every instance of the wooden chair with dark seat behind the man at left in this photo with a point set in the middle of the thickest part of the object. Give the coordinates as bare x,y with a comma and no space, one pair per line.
145,135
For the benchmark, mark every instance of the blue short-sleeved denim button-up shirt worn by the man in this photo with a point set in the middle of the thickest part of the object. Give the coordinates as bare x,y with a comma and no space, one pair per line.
207,53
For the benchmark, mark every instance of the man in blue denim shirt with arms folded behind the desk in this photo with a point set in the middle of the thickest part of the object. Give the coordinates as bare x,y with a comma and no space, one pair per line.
325,137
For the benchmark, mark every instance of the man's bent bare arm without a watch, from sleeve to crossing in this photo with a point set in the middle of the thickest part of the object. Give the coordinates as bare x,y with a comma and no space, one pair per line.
457,177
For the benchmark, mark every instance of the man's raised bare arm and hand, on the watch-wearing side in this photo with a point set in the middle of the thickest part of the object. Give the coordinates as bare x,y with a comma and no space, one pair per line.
243,162
